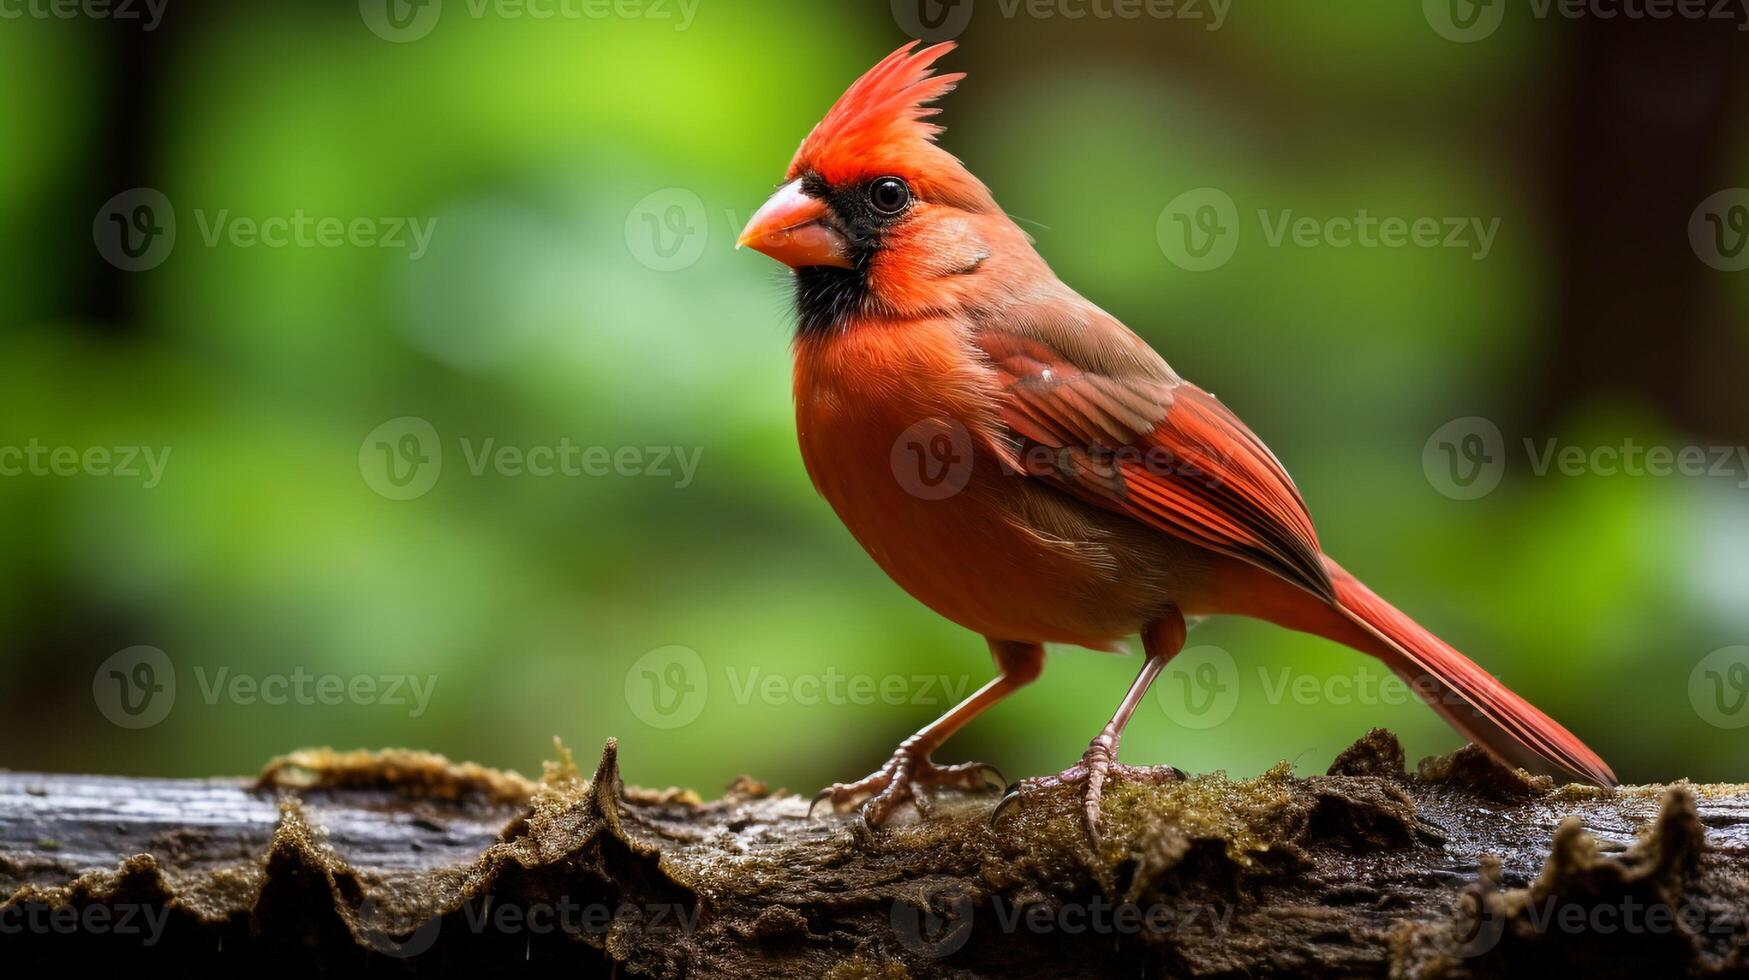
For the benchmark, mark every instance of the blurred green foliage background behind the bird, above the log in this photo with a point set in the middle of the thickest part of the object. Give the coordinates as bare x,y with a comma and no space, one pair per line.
587,178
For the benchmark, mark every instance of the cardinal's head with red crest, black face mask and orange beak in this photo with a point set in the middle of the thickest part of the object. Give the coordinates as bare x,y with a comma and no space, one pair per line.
874,213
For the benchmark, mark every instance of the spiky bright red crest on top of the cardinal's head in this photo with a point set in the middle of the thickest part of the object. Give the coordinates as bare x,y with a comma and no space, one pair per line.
882,125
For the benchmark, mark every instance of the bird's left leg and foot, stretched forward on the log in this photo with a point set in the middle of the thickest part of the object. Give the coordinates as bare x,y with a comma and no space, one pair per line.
910,769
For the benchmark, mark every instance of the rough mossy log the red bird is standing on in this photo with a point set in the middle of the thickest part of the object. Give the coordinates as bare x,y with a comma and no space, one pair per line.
407,865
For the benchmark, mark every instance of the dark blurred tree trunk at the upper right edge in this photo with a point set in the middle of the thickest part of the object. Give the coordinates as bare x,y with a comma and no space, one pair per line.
1650,125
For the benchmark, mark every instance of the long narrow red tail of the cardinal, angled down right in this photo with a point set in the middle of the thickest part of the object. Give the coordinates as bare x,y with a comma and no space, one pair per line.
1479,706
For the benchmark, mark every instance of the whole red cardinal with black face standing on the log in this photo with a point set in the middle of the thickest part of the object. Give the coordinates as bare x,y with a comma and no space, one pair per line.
1084,493
